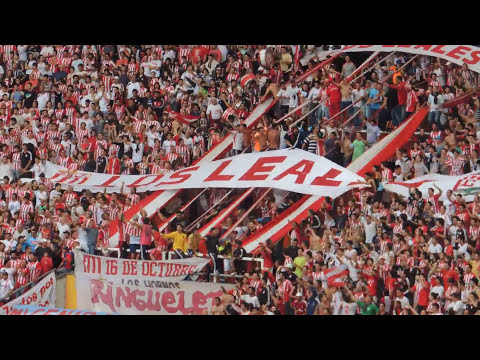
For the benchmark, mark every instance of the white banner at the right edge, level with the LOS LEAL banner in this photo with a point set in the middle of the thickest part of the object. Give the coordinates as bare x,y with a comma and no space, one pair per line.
468,185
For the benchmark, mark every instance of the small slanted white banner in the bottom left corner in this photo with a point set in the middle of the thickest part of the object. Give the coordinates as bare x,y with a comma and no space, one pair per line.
43,294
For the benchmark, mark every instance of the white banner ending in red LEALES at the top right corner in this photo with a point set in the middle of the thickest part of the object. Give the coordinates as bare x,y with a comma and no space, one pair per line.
457,54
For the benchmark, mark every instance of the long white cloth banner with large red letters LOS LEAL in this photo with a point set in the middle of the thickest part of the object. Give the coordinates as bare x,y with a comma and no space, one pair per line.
292,170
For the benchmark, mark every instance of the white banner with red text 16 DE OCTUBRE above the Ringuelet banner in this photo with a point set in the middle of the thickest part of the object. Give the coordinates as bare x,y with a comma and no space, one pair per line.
149,274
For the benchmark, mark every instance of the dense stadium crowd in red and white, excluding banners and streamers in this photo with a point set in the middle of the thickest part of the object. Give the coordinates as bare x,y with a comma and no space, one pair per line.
128,110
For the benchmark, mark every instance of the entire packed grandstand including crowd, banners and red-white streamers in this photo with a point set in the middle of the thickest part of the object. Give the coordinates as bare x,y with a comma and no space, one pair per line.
241,179
